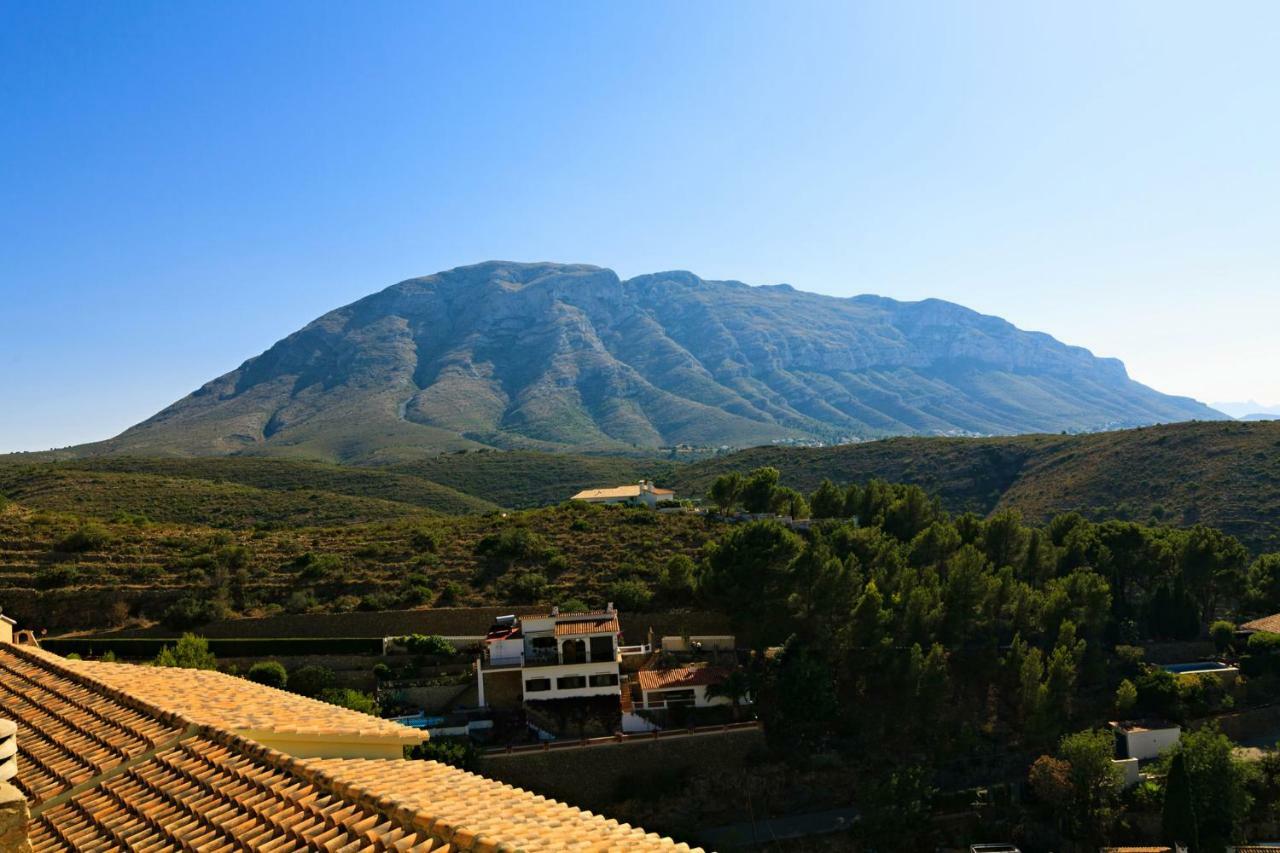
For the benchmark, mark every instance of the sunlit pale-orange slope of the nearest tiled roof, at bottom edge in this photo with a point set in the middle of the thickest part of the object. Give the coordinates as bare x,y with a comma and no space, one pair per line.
484,810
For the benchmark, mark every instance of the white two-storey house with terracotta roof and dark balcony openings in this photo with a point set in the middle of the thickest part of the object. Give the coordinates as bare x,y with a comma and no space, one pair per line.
556,656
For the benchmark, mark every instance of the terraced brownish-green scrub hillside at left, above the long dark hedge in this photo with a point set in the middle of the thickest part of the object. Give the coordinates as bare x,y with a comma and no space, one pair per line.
67,572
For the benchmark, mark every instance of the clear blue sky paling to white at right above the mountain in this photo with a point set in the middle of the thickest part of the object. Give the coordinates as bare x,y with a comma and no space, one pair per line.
184,184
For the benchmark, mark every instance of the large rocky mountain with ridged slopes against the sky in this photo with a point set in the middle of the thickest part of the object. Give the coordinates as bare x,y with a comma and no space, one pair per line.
552,357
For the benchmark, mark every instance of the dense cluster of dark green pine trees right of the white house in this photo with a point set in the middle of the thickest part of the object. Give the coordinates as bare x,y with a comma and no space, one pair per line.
892,633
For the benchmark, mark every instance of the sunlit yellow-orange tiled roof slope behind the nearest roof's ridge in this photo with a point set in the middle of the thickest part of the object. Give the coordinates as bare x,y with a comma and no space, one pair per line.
240,706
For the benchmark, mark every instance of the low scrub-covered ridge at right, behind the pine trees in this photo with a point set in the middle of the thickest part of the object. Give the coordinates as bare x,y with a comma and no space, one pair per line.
1223,475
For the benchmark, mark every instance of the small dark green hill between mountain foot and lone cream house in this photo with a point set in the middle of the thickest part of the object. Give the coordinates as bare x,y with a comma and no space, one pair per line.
524,478
